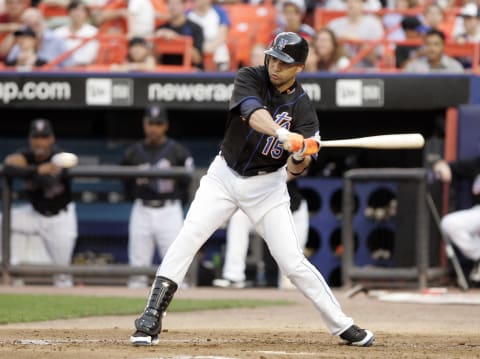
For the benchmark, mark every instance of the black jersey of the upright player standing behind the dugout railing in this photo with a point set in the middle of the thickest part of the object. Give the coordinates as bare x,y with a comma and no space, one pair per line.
169,154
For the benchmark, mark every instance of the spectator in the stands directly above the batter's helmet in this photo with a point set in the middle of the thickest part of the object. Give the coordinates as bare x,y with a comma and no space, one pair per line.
292,15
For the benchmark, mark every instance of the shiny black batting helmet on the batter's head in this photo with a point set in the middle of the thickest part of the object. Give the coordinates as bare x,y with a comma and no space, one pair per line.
289,47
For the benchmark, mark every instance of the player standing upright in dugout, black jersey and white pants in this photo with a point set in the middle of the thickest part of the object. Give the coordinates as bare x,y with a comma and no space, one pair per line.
157,213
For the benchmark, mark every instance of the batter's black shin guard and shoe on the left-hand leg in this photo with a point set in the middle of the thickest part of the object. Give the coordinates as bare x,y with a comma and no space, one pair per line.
150,322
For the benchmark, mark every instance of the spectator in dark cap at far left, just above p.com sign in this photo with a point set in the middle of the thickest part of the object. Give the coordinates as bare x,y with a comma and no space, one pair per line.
27,57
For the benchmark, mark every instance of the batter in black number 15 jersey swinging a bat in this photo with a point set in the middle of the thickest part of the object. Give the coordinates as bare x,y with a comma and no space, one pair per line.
272,128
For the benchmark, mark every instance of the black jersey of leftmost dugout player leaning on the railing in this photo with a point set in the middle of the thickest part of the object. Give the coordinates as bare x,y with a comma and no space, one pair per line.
47,194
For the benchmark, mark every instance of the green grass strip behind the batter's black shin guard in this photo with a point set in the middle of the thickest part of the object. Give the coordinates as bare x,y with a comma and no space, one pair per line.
22,308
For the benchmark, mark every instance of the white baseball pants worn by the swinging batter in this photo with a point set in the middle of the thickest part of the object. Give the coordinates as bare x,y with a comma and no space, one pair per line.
265,200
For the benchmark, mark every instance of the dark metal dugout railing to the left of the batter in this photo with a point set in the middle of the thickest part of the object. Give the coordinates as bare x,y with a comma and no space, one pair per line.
104,270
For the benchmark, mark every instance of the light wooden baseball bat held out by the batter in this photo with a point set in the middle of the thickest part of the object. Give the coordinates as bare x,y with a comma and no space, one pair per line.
382,142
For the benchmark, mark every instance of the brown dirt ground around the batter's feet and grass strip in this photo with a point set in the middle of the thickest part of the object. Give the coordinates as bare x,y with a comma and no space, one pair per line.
403,330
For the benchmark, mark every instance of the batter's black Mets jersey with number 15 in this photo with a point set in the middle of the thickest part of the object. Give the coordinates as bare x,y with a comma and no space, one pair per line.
249,152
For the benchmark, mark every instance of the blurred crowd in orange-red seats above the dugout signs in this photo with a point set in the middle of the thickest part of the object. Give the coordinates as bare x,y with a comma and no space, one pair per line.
206,35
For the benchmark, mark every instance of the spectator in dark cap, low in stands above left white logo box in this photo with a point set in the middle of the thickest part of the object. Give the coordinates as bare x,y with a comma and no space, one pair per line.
139,56
